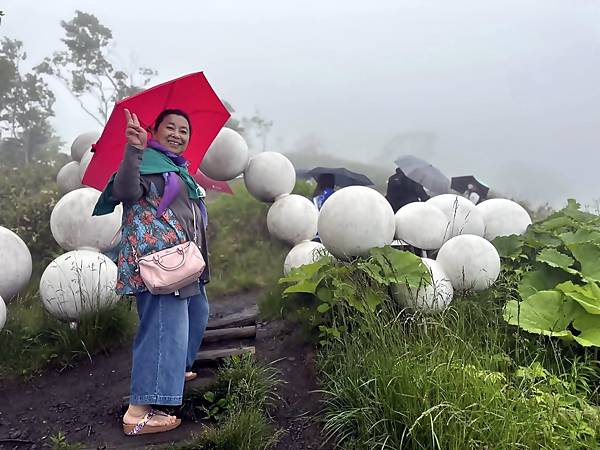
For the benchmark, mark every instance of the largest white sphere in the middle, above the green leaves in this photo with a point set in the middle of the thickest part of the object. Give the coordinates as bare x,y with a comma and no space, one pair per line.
354,220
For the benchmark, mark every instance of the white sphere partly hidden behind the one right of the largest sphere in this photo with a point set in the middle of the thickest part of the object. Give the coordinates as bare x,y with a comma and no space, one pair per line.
463,216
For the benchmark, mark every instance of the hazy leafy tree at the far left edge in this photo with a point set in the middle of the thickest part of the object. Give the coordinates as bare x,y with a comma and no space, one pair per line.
25,130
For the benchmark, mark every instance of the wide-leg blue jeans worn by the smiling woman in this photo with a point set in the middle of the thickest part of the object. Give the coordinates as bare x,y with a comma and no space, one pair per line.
168,338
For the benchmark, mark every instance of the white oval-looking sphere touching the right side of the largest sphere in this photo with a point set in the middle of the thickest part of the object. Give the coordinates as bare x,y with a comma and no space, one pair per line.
422,225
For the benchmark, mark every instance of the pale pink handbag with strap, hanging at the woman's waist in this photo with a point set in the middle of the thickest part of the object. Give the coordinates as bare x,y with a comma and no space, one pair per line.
168,270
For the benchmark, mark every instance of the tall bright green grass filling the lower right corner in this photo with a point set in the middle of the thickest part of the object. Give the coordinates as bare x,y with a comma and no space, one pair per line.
463,379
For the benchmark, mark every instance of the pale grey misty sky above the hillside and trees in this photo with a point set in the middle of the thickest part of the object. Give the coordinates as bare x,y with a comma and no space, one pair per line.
509,89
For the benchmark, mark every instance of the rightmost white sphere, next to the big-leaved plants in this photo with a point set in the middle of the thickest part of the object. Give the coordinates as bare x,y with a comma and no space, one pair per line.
503,217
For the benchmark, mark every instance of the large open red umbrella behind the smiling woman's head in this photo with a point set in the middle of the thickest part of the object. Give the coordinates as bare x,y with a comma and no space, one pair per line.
190,93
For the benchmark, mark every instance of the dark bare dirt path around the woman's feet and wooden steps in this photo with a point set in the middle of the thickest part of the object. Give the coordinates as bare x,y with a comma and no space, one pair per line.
85,402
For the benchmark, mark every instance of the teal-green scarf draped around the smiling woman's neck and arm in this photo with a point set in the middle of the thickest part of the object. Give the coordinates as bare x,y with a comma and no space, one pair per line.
153,162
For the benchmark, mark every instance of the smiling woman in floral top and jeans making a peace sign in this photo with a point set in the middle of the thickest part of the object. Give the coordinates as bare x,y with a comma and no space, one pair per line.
161,206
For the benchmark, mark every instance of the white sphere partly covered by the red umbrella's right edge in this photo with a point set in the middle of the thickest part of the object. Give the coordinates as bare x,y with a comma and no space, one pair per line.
227,156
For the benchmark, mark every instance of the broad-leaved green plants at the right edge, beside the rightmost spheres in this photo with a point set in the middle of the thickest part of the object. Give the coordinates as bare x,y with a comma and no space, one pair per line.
557,263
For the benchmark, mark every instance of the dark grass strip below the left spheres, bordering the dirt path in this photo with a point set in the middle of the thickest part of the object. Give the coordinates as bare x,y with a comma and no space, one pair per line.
32,340
